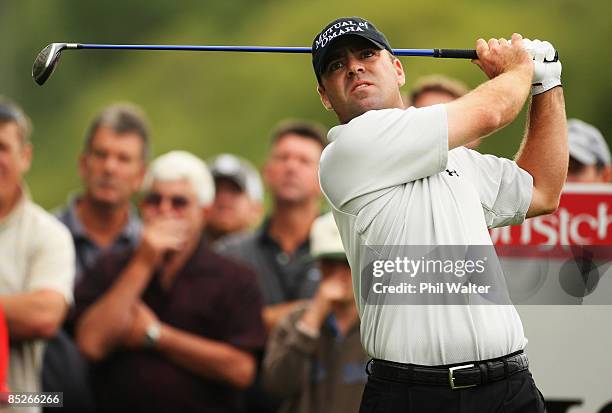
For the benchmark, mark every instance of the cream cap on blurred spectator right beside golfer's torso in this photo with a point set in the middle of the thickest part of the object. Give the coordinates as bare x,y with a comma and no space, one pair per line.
325,241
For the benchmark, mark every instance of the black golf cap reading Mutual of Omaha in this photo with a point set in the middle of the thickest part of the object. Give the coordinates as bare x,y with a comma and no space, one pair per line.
344,26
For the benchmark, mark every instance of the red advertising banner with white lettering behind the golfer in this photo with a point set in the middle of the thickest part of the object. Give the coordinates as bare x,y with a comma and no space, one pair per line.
584,218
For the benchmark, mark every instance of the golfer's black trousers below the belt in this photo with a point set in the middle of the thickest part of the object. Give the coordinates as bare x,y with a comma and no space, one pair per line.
516,394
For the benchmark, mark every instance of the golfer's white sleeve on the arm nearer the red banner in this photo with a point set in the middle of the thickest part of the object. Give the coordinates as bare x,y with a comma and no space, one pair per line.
504,188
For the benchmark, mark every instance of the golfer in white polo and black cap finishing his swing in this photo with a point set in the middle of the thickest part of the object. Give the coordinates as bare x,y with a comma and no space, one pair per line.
398,176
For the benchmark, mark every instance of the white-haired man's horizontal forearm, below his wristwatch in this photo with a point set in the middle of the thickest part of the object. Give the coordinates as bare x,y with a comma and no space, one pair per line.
208,358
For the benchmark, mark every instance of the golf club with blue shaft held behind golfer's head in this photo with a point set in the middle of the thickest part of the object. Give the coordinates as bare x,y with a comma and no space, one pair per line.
47,59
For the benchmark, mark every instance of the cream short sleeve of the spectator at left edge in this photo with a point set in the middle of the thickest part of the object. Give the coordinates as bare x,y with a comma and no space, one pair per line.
52,263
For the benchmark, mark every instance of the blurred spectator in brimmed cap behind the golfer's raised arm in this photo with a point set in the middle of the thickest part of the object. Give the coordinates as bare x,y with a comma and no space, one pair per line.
436,89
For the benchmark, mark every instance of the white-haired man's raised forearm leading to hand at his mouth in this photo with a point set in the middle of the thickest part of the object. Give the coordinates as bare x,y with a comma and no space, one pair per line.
106,321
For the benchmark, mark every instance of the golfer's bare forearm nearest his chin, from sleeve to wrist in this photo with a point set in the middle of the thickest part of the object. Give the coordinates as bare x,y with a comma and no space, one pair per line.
488,108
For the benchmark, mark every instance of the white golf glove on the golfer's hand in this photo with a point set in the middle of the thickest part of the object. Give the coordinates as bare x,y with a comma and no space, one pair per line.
547,69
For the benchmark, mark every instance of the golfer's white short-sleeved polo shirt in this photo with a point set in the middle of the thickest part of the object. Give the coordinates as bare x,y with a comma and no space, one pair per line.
391,180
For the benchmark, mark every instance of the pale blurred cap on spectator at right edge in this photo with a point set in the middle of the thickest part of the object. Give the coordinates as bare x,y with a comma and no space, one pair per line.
586,143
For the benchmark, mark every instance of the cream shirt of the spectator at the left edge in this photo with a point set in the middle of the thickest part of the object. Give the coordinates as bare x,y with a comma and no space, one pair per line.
36,252
